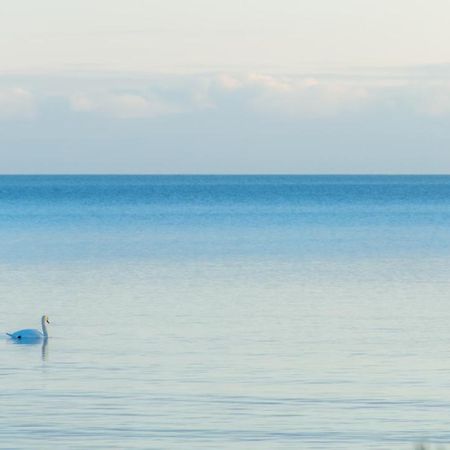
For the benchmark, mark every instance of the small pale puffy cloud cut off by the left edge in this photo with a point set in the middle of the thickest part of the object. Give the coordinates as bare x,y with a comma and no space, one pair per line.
16,103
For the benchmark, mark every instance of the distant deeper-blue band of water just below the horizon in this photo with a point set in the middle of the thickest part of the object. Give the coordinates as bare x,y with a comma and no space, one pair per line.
223,216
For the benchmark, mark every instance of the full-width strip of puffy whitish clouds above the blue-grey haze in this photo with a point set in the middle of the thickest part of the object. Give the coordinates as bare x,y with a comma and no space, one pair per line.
286,97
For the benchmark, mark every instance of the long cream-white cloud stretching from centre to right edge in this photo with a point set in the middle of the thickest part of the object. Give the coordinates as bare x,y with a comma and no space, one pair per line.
297,97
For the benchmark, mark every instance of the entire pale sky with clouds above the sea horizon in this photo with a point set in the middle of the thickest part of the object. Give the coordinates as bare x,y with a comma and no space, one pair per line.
242,86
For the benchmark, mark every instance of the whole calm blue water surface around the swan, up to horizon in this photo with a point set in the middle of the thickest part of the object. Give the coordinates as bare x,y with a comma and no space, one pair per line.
225,312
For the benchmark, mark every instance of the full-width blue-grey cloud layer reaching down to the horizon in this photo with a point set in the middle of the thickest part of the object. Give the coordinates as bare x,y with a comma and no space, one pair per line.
361,122
